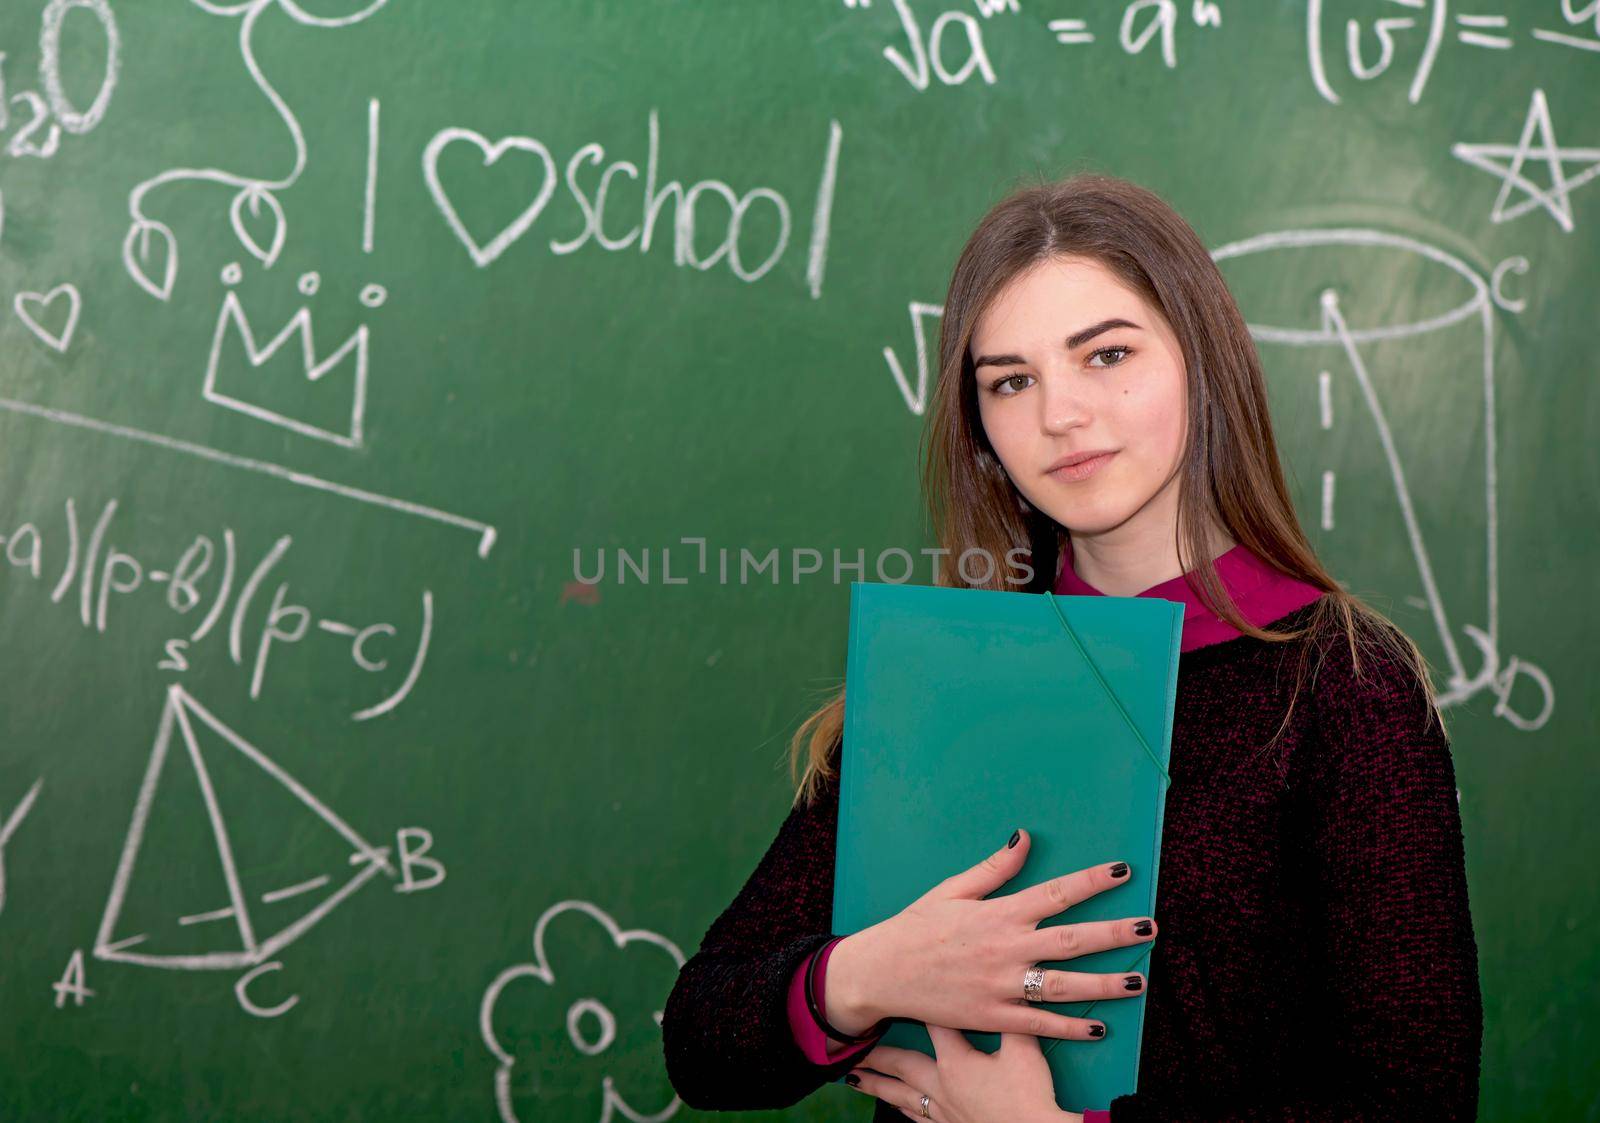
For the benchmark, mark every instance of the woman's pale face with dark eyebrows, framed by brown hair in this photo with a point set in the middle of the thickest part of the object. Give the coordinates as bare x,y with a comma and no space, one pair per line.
1070,361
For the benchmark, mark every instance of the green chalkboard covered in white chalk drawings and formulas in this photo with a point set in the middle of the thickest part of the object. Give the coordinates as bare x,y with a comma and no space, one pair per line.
340,338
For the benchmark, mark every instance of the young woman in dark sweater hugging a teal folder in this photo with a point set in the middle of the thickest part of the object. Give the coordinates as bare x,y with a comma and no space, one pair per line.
1102,406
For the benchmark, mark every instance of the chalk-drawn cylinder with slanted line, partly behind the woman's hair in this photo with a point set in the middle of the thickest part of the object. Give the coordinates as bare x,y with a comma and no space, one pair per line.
1407,337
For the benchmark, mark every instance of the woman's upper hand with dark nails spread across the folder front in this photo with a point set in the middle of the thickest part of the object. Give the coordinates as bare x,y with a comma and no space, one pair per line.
954,959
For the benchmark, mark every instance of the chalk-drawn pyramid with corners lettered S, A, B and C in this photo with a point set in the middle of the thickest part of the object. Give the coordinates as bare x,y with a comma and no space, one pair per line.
209,794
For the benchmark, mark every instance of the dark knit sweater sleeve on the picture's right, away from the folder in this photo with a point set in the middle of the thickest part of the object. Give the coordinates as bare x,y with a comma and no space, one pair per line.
1386,861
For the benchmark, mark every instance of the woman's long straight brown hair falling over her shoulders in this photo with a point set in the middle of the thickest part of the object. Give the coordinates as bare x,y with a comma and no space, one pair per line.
1230,473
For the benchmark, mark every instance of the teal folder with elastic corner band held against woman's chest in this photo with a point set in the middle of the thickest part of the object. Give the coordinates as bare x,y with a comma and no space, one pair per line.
972,713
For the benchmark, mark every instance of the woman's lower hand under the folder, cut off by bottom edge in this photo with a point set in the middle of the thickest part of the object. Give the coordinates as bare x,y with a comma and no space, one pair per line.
964,1084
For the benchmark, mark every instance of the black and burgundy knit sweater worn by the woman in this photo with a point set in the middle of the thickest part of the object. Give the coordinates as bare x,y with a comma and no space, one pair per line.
1314,957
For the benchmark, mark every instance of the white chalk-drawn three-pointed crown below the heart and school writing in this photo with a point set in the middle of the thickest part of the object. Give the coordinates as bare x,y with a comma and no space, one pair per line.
314,370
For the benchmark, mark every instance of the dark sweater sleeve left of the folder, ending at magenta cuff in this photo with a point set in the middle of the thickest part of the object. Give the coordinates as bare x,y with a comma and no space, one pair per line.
726,1028
